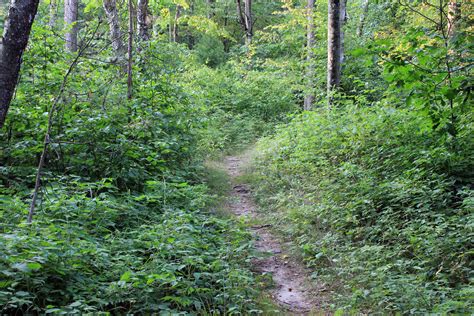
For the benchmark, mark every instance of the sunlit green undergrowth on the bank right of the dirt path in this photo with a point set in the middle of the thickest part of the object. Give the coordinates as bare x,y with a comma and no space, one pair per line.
378,200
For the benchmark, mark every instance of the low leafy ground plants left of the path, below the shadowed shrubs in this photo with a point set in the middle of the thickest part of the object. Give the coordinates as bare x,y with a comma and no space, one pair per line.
155,252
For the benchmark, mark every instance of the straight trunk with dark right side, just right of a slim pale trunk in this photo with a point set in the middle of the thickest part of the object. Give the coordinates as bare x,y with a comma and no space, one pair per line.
334,46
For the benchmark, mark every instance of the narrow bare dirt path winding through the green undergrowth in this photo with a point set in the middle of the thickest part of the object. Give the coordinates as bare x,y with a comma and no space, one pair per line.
291,291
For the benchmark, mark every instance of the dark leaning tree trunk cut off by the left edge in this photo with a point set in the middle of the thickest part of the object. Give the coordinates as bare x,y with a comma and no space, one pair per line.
17,27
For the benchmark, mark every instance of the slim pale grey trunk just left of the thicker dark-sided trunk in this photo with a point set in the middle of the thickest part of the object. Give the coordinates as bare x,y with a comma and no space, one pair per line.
309,98
